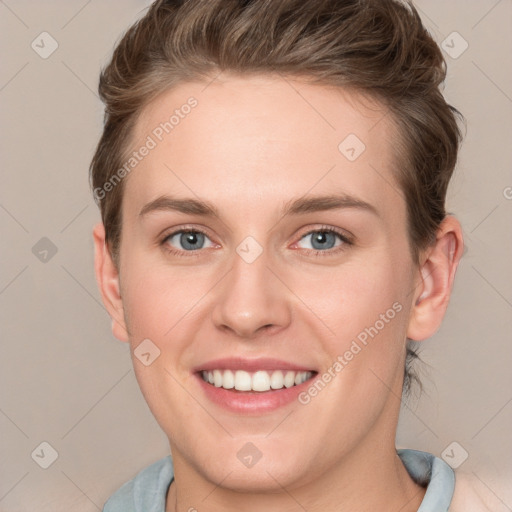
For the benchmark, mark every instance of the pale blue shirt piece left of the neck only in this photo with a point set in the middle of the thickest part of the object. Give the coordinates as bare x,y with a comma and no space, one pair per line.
146,492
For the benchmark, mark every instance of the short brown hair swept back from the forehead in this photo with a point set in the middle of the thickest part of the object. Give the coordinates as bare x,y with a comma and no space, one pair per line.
377,47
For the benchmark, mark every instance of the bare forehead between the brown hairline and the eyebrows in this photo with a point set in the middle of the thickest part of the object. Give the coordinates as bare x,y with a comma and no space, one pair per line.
263,136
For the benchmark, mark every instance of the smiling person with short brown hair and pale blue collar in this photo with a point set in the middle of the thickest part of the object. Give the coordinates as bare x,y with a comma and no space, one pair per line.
271,178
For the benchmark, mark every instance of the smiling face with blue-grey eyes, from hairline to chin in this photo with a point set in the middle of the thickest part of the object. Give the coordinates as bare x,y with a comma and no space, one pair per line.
265,234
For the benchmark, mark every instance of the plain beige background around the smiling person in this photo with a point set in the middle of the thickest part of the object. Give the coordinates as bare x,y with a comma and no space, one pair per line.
66,381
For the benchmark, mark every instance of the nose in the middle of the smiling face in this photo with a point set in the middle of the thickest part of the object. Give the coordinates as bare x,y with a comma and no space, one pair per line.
251,300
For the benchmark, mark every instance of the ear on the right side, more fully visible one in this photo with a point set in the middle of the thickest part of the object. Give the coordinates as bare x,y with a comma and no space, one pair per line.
435,280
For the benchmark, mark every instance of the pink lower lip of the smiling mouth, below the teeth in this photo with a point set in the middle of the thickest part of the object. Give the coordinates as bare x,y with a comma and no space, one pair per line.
252,401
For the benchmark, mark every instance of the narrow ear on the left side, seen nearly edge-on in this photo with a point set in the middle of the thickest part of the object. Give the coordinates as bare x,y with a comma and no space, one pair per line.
107,277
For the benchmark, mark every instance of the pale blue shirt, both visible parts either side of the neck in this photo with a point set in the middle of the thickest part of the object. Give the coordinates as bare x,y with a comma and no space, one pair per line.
147,492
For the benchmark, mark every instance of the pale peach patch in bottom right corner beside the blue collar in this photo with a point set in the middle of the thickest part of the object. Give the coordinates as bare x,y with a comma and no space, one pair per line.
472,495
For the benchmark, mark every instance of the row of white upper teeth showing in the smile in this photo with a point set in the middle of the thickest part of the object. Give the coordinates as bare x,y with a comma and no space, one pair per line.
257,381
